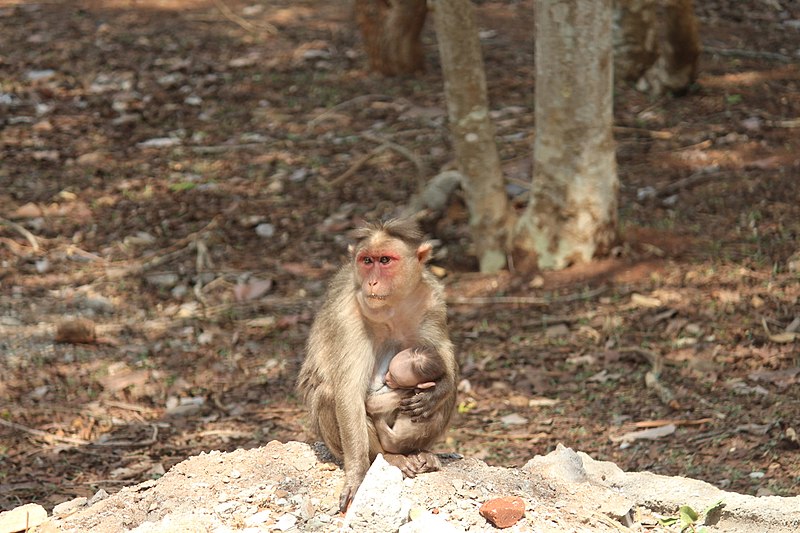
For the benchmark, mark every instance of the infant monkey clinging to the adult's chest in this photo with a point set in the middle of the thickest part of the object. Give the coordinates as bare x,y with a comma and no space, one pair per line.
409,370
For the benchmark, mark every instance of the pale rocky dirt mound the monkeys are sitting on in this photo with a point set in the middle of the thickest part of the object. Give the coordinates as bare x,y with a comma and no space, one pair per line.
295,487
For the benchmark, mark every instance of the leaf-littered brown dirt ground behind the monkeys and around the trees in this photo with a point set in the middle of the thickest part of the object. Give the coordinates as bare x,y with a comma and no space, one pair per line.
179,172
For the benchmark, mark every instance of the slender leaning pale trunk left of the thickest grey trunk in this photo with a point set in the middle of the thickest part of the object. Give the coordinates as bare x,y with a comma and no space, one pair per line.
472,130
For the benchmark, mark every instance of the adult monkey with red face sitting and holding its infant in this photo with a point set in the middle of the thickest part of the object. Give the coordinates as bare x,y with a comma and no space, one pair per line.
382,298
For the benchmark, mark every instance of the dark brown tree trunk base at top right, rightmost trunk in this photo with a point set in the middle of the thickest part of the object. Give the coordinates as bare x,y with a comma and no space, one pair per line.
656,44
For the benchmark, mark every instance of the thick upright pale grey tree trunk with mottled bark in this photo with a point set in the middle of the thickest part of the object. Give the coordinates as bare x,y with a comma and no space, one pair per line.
572,213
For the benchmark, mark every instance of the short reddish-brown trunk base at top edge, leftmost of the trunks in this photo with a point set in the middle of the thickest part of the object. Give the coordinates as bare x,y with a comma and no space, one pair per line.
391,33
